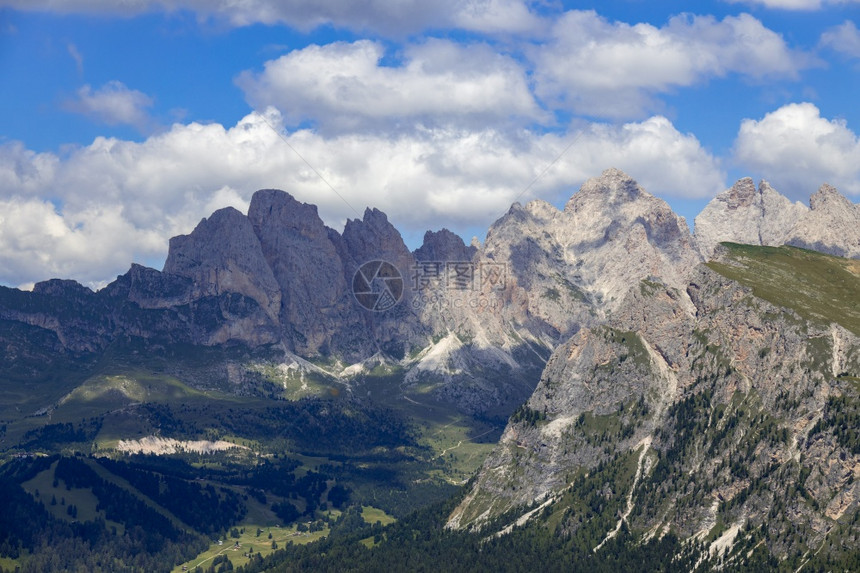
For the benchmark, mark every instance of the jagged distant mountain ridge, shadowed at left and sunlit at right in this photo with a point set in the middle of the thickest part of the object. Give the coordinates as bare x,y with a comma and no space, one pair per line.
279,278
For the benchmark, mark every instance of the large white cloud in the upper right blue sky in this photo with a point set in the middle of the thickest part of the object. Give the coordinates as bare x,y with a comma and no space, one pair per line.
613,69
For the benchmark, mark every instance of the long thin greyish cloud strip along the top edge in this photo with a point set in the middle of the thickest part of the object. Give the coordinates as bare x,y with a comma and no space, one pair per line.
395,18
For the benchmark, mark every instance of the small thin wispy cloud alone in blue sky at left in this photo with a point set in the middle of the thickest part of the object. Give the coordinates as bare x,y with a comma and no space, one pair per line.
113,104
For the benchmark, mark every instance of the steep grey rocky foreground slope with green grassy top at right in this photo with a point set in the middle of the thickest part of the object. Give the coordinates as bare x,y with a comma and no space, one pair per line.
727,407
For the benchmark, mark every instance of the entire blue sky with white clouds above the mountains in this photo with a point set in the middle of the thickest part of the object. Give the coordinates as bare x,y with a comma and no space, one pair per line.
122,124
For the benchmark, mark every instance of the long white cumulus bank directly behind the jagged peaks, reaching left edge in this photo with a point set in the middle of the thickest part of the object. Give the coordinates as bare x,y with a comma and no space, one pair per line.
118,201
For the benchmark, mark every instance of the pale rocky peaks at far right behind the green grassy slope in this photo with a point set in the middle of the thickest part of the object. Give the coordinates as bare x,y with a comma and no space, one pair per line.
742,214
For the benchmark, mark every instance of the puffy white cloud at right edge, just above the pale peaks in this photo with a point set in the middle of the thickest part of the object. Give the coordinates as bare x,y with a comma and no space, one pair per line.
798,150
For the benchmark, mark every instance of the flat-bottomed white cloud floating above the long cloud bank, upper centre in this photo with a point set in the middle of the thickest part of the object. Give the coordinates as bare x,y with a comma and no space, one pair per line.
345,86
